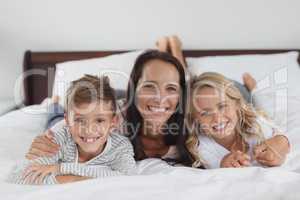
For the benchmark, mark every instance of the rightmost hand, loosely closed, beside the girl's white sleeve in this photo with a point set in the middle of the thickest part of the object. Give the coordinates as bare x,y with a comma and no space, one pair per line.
272,152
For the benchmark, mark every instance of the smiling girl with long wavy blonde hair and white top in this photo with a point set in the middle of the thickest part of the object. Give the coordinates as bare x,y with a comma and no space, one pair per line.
227,132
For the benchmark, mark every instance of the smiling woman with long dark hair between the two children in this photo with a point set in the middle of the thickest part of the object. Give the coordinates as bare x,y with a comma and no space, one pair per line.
154,111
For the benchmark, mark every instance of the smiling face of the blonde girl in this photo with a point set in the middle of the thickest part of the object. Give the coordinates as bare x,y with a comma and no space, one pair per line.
216,113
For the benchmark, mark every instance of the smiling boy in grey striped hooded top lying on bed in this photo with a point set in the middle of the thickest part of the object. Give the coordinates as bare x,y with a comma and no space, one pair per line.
88,147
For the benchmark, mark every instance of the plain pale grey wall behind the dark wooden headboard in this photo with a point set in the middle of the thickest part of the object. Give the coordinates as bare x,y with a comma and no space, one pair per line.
43,25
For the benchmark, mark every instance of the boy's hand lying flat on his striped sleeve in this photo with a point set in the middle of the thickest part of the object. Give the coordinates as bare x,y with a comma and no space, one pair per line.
35,174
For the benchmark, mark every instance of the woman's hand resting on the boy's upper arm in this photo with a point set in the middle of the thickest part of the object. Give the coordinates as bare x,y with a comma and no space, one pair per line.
43,145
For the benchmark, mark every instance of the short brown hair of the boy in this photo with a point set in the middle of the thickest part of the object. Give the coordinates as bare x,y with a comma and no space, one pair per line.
89,89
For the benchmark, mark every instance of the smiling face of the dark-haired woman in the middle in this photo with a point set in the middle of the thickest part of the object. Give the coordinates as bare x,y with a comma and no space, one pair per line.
158,92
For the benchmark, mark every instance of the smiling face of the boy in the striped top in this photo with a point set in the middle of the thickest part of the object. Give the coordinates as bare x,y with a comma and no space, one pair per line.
90,124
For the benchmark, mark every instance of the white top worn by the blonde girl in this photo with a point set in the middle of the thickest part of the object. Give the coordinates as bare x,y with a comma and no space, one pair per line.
213,153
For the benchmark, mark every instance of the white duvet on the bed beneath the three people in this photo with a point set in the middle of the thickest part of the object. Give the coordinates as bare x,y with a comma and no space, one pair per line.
158,180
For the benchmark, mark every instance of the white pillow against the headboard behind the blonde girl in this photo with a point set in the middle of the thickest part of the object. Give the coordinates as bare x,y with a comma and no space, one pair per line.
272,71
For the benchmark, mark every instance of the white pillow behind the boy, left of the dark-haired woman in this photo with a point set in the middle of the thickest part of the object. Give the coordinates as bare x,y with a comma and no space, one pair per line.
117,67
